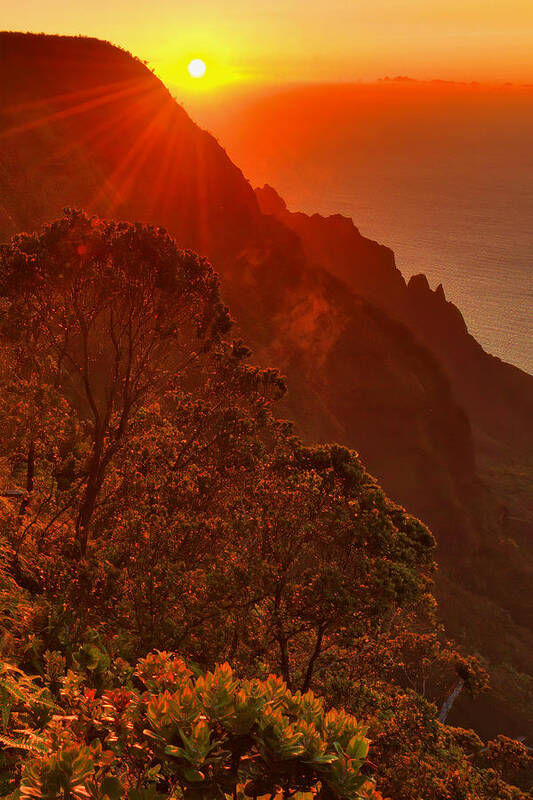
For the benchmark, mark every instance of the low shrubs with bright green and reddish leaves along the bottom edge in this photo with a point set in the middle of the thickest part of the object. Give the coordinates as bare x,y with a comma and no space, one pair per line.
167,733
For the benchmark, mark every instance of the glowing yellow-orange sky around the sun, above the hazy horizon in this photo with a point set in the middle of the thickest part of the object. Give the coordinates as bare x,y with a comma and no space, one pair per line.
278,41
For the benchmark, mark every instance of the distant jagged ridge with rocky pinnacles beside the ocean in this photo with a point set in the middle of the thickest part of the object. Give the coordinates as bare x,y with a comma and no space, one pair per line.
497,396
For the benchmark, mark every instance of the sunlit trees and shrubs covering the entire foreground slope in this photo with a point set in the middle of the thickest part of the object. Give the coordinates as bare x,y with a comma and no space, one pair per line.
153,502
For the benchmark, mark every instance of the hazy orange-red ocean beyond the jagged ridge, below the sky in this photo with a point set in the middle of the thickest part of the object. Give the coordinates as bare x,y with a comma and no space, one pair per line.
443,175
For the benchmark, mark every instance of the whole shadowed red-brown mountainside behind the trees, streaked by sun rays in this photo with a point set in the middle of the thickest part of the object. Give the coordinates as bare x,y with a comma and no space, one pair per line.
381,366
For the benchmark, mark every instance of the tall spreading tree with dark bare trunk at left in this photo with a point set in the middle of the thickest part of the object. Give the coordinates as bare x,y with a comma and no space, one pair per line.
101,318
